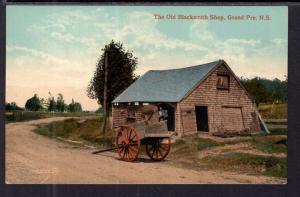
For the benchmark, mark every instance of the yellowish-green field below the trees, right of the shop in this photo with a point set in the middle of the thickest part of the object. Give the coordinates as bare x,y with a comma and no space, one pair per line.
273,111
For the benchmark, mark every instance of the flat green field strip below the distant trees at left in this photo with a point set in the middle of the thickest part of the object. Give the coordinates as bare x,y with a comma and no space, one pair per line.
28,115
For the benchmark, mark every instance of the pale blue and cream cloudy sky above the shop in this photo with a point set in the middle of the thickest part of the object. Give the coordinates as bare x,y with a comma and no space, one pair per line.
55,48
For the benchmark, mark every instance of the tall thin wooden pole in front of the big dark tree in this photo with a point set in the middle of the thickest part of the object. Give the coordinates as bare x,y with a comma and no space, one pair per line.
105,93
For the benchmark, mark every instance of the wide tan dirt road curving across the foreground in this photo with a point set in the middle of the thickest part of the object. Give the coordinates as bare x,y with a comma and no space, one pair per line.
32,158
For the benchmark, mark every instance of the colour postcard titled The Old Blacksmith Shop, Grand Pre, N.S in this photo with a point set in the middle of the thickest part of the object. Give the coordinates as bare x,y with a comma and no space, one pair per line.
109,94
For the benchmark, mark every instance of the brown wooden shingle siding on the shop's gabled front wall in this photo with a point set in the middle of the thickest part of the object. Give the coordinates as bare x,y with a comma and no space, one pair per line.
207,94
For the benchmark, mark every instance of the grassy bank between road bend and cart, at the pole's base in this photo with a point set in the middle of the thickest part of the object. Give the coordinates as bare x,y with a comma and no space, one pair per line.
88,131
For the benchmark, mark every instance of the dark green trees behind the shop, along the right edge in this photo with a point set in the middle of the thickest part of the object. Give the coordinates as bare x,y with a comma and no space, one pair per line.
265,90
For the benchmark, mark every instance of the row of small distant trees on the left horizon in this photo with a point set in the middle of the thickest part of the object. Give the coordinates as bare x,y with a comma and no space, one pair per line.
47,105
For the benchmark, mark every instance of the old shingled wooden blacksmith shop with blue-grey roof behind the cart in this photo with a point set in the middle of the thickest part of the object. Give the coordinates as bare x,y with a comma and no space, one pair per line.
203,98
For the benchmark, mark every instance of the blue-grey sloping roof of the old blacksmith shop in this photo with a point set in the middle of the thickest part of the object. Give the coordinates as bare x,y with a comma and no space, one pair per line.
166,85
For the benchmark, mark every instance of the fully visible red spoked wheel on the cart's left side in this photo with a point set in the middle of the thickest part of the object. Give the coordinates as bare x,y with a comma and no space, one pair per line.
128,143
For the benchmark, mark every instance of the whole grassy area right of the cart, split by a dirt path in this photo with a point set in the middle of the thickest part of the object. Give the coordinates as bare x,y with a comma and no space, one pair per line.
185,151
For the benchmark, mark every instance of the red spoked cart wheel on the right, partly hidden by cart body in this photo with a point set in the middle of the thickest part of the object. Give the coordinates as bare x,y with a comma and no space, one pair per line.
158,149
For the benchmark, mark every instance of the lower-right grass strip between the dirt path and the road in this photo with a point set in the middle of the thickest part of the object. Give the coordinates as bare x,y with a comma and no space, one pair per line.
247,163
